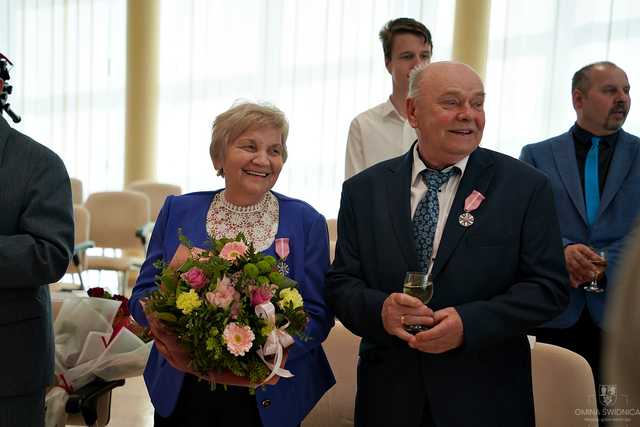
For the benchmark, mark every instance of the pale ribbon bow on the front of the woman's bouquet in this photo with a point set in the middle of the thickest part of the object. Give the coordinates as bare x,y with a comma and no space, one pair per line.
276,342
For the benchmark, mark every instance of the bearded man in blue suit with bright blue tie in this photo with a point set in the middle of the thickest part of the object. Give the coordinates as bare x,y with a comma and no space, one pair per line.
594,170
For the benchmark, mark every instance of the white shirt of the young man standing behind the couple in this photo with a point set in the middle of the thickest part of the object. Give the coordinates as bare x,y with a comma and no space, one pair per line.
377,134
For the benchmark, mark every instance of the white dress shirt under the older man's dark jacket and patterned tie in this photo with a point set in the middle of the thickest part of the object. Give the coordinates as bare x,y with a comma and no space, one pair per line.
445,195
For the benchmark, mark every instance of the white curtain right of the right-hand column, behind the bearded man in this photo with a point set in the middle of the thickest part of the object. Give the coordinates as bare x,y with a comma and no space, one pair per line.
535,47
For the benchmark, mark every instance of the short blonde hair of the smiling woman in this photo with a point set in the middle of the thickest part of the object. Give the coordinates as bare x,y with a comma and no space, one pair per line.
240,118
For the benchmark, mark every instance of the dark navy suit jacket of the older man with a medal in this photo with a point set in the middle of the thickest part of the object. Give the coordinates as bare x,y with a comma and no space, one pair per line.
504,275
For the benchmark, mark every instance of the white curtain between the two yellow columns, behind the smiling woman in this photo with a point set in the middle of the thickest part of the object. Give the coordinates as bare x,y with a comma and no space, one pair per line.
319,61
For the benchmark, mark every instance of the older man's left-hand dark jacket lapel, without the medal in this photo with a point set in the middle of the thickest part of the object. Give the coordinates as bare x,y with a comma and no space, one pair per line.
399,203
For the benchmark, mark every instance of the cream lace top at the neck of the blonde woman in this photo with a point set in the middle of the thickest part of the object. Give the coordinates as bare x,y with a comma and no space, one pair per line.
259,222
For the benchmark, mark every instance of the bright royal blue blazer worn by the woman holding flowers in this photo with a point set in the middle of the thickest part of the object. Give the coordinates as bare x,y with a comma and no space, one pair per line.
291,399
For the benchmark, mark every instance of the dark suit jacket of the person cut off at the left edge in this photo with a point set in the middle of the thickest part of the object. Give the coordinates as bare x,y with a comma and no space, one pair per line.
36,242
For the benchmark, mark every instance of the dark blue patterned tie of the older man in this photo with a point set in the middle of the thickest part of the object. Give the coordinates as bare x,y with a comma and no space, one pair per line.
426,217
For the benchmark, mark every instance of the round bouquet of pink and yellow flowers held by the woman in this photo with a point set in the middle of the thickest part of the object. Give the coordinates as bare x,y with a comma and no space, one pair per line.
230,309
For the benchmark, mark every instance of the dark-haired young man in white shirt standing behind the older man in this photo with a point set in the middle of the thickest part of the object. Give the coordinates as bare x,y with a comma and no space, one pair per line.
382,132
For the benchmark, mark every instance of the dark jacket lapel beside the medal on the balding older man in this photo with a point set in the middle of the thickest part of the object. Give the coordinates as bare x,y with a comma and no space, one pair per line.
477,176
